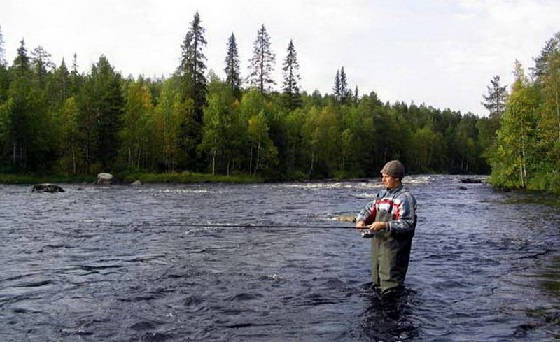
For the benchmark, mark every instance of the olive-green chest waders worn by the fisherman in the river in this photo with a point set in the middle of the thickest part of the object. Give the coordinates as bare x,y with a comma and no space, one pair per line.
389,254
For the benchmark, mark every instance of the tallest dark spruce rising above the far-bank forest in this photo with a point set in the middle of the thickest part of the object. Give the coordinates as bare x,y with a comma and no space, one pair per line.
193,67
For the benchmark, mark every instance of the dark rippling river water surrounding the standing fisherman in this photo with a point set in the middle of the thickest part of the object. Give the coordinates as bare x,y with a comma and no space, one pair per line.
122,264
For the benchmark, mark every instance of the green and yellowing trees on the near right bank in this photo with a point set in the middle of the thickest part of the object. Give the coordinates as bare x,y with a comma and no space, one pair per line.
526,151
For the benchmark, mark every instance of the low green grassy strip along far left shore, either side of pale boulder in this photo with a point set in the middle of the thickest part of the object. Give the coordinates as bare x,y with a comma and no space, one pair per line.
125,178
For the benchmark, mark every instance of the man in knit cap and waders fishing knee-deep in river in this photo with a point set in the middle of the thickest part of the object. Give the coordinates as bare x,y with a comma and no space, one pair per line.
390,220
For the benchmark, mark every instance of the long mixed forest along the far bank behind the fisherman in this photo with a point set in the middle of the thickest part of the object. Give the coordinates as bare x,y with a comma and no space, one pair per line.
54,119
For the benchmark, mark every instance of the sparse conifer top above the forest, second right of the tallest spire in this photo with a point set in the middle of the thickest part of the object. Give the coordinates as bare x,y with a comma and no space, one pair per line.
261,64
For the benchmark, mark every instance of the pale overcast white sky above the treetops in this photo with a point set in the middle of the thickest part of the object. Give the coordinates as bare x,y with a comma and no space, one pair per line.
438,53
